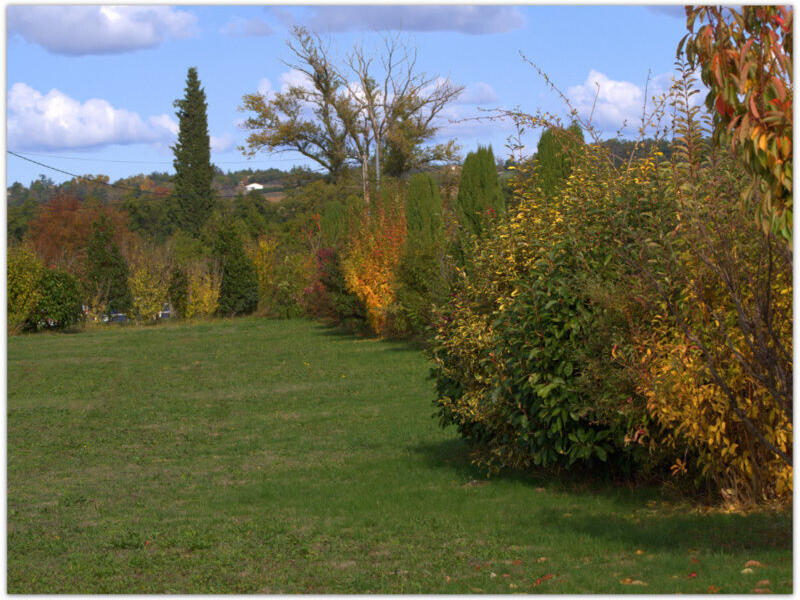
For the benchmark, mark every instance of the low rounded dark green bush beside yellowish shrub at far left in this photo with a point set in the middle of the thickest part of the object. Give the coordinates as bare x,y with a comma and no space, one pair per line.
59,305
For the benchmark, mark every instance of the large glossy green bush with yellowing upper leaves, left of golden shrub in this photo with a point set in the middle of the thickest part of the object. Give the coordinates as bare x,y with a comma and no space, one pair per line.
513,366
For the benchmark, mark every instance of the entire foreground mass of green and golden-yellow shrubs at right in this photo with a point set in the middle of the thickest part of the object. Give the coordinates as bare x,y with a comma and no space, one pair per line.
627,319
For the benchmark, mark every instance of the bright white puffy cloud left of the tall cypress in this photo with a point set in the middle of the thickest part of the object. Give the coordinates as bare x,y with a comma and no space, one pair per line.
54,121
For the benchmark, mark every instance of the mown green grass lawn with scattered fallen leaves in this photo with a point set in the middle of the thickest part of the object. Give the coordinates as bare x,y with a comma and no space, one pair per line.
279,456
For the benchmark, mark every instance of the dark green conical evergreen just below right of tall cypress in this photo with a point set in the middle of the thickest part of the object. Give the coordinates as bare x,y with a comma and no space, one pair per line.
238,292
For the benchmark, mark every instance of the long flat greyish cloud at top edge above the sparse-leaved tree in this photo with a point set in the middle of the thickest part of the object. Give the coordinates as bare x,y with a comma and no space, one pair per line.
470,19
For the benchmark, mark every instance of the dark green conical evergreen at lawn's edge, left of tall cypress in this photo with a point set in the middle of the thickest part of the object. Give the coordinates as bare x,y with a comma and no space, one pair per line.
107,271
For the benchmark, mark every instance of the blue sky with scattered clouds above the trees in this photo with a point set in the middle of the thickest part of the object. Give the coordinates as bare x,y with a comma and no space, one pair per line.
90,89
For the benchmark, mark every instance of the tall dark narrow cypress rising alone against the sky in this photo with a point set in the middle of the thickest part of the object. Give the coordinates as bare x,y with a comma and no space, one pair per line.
192,199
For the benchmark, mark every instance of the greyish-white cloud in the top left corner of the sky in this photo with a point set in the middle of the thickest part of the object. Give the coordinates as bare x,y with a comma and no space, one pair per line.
77,30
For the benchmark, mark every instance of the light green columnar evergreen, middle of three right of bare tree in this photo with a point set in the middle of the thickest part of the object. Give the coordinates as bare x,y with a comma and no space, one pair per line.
479,195
